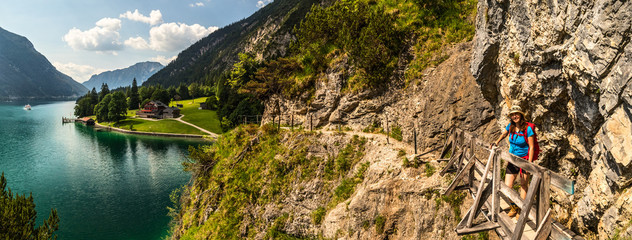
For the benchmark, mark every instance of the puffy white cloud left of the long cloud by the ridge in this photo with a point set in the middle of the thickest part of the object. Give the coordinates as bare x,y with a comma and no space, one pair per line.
103,37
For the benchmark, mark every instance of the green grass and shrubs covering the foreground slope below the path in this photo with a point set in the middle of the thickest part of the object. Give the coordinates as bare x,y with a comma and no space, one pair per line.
249,168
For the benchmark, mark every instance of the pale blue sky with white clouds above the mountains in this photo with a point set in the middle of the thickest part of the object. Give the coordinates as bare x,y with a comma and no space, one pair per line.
85,37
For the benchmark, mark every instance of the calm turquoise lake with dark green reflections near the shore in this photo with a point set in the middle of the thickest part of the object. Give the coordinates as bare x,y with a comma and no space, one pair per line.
104,185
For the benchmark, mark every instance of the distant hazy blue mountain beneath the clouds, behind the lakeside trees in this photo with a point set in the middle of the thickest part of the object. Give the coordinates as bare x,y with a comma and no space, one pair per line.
123,77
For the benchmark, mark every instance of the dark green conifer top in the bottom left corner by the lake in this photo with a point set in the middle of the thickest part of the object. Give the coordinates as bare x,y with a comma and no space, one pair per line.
18,215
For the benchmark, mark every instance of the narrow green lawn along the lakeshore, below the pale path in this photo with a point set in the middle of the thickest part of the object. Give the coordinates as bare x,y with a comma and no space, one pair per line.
161,126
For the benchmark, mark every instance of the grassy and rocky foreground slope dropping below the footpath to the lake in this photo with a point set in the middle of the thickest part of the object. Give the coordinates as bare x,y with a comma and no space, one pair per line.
304,191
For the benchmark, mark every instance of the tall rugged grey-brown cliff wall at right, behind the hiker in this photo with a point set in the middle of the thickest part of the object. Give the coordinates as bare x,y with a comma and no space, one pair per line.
567,63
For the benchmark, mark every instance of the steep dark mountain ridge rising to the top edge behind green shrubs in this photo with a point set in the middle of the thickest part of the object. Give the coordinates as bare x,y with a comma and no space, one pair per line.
266,32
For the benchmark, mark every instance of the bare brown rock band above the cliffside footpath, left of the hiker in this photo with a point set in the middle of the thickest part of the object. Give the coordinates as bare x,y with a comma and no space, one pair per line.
447,96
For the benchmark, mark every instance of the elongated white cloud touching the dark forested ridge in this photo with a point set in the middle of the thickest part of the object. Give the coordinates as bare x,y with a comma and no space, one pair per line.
170,37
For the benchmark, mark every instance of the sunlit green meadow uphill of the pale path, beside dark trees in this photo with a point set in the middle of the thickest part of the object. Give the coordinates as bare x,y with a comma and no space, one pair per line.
203,118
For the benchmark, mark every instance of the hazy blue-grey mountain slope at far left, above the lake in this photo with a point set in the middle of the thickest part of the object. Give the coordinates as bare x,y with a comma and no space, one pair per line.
26,73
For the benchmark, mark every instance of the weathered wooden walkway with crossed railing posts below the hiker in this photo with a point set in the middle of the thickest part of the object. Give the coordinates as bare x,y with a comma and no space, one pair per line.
490,194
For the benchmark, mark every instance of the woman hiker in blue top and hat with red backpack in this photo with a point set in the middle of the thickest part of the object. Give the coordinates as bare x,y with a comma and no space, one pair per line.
516,129
